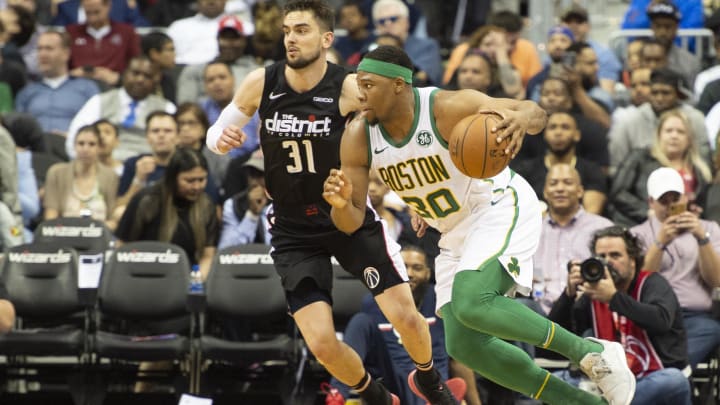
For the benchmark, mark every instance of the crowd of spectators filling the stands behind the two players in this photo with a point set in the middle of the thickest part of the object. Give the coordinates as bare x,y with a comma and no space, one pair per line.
101,98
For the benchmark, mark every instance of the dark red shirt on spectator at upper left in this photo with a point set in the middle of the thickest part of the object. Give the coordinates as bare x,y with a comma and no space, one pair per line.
112,51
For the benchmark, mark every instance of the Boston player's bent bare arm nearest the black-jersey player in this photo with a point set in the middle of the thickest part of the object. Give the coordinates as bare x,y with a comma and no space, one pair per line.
346,189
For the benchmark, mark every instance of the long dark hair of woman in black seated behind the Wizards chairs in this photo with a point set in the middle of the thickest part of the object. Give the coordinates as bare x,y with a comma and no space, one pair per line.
183,160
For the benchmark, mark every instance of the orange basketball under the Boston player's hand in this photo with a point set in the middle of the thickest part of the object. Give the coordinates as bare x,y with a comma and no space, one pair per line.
474,149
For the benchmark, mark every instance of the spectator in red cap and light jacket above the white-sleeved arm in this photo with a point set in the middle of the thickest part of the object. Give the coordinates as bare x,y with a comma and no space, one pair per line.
232,45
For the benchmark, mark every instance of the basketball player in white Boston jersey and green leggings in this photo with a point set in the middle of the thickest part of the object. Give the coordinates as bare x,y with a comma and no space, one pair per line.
490,228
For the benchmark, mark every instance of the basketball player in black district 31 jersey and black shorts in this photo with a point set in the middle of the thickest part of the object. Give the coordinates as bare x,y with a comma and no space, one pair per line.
303,104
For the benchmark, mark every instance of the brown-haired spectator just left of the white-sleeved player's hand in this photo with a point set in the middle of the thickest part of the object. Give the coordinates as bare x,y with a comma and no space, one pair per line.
192,127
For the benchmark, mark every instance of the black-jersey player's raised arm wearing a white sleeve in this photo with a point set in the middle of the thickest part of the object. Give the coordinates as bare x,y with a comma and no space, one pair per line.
226,133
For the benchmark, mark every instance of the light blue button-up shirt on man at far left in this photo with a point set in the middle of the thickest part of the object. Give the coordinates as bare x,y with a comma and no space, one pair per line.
54,108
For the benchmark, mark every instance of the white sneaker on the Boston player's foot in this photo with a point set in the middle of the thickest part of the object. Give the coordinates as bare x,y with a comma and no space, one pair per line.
609,370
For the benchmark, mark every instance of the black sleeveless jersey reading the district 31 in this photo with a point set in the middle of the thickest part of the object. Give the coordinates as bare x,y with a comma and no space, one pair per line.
300,135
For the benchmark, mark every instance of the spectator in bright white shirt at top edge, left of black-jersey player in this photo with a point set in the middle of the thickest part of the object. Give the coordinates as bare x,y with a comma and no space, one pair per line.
194,36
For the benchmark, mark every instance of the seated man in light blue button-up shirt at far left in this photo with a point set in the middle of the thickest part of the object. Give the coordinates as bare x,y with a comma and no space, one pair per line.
56,97
